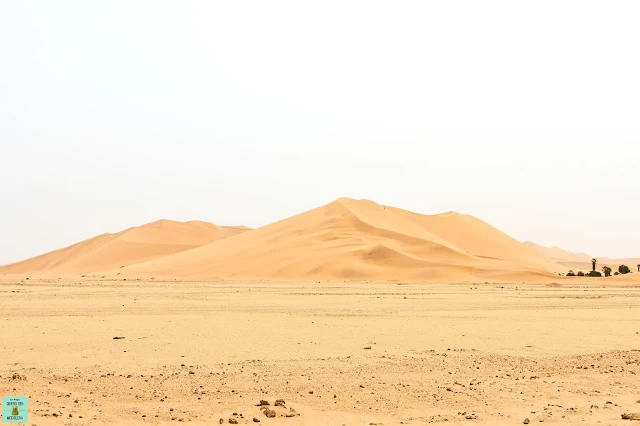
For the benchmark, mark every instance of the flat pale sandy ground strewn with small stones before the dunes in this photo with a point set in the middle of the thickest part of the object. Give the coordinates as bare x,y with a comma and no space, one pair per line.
336,353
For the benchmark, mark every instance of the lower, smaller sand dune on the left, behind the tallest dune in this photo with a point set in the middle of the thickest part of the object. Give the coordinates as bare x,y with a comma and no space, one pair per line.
133,245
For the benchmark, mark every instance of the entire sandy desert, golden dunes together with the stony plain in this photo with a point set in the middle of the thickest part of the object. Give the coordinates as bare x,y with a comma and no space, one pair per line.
350,314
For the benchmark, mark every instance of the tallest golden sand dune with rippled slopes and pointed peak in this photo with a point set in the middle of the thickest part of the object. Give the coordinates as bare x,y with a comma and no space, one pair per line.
359,239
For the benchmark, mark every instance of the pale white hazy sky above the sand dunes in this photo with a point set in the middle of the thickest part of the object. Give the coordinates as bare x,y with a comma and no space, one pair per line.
118,113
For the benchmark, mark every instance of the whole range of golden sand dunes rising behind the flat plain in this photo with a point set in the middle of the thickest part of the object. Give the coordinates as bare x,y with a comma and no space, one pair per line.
346,239
